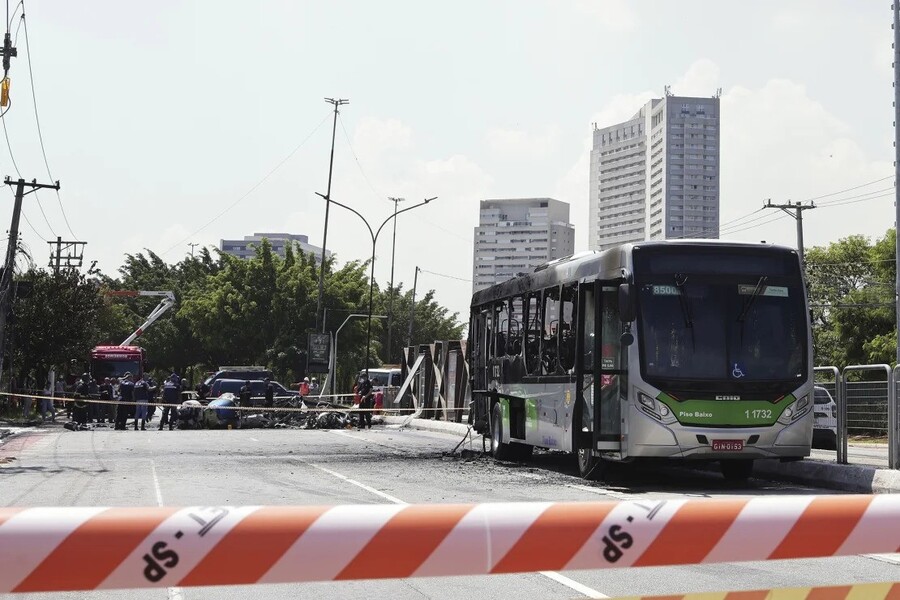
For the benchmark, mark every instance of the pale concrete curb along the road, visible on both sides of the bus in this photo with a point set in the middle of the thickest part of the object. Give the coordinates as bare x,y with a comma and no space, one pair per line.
851,478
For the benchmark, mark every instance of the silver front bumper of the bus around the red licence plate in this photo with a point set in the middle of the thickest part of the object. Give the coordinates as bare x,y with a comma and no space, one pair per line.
650,438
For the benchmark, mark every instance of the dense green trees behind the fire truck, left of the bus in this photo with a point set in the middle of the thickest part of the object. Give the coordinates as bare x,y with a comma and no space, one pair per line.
228,311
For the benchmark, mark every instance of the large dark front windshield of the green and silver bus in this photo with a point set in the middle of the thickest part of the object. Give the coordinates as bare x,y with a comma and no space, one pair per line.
742,330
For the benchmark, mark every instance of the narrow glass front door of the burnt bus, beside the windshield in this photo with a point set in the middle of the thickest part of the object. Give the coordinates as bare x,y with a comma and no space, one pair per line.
609,364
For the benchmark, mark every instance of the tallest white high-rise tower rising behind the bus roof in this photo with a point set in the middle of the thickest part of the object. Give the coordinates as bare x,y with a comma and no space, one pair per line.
656,176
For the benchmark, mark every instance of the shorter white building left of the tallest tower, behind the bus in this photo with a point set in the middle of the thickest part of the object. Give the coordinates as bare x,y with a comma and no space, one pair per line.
515,235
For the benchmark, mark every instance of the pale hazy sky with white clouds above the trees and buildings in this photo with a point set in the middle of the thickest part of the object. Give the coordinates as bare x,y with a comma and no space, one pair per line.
184,122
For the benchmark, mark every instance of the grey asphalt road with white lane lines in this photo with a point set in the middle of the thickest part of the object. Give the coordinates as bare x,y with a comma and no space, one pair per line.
56,467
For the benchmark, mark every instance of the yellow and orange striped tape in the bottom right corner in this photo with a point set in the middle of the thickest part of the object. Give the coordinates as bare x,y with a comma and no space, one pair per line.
863,591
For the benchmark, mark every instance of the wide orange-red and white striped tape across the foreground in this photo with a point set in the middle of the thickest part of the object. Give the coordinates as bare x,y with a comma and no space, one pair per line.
60,549
